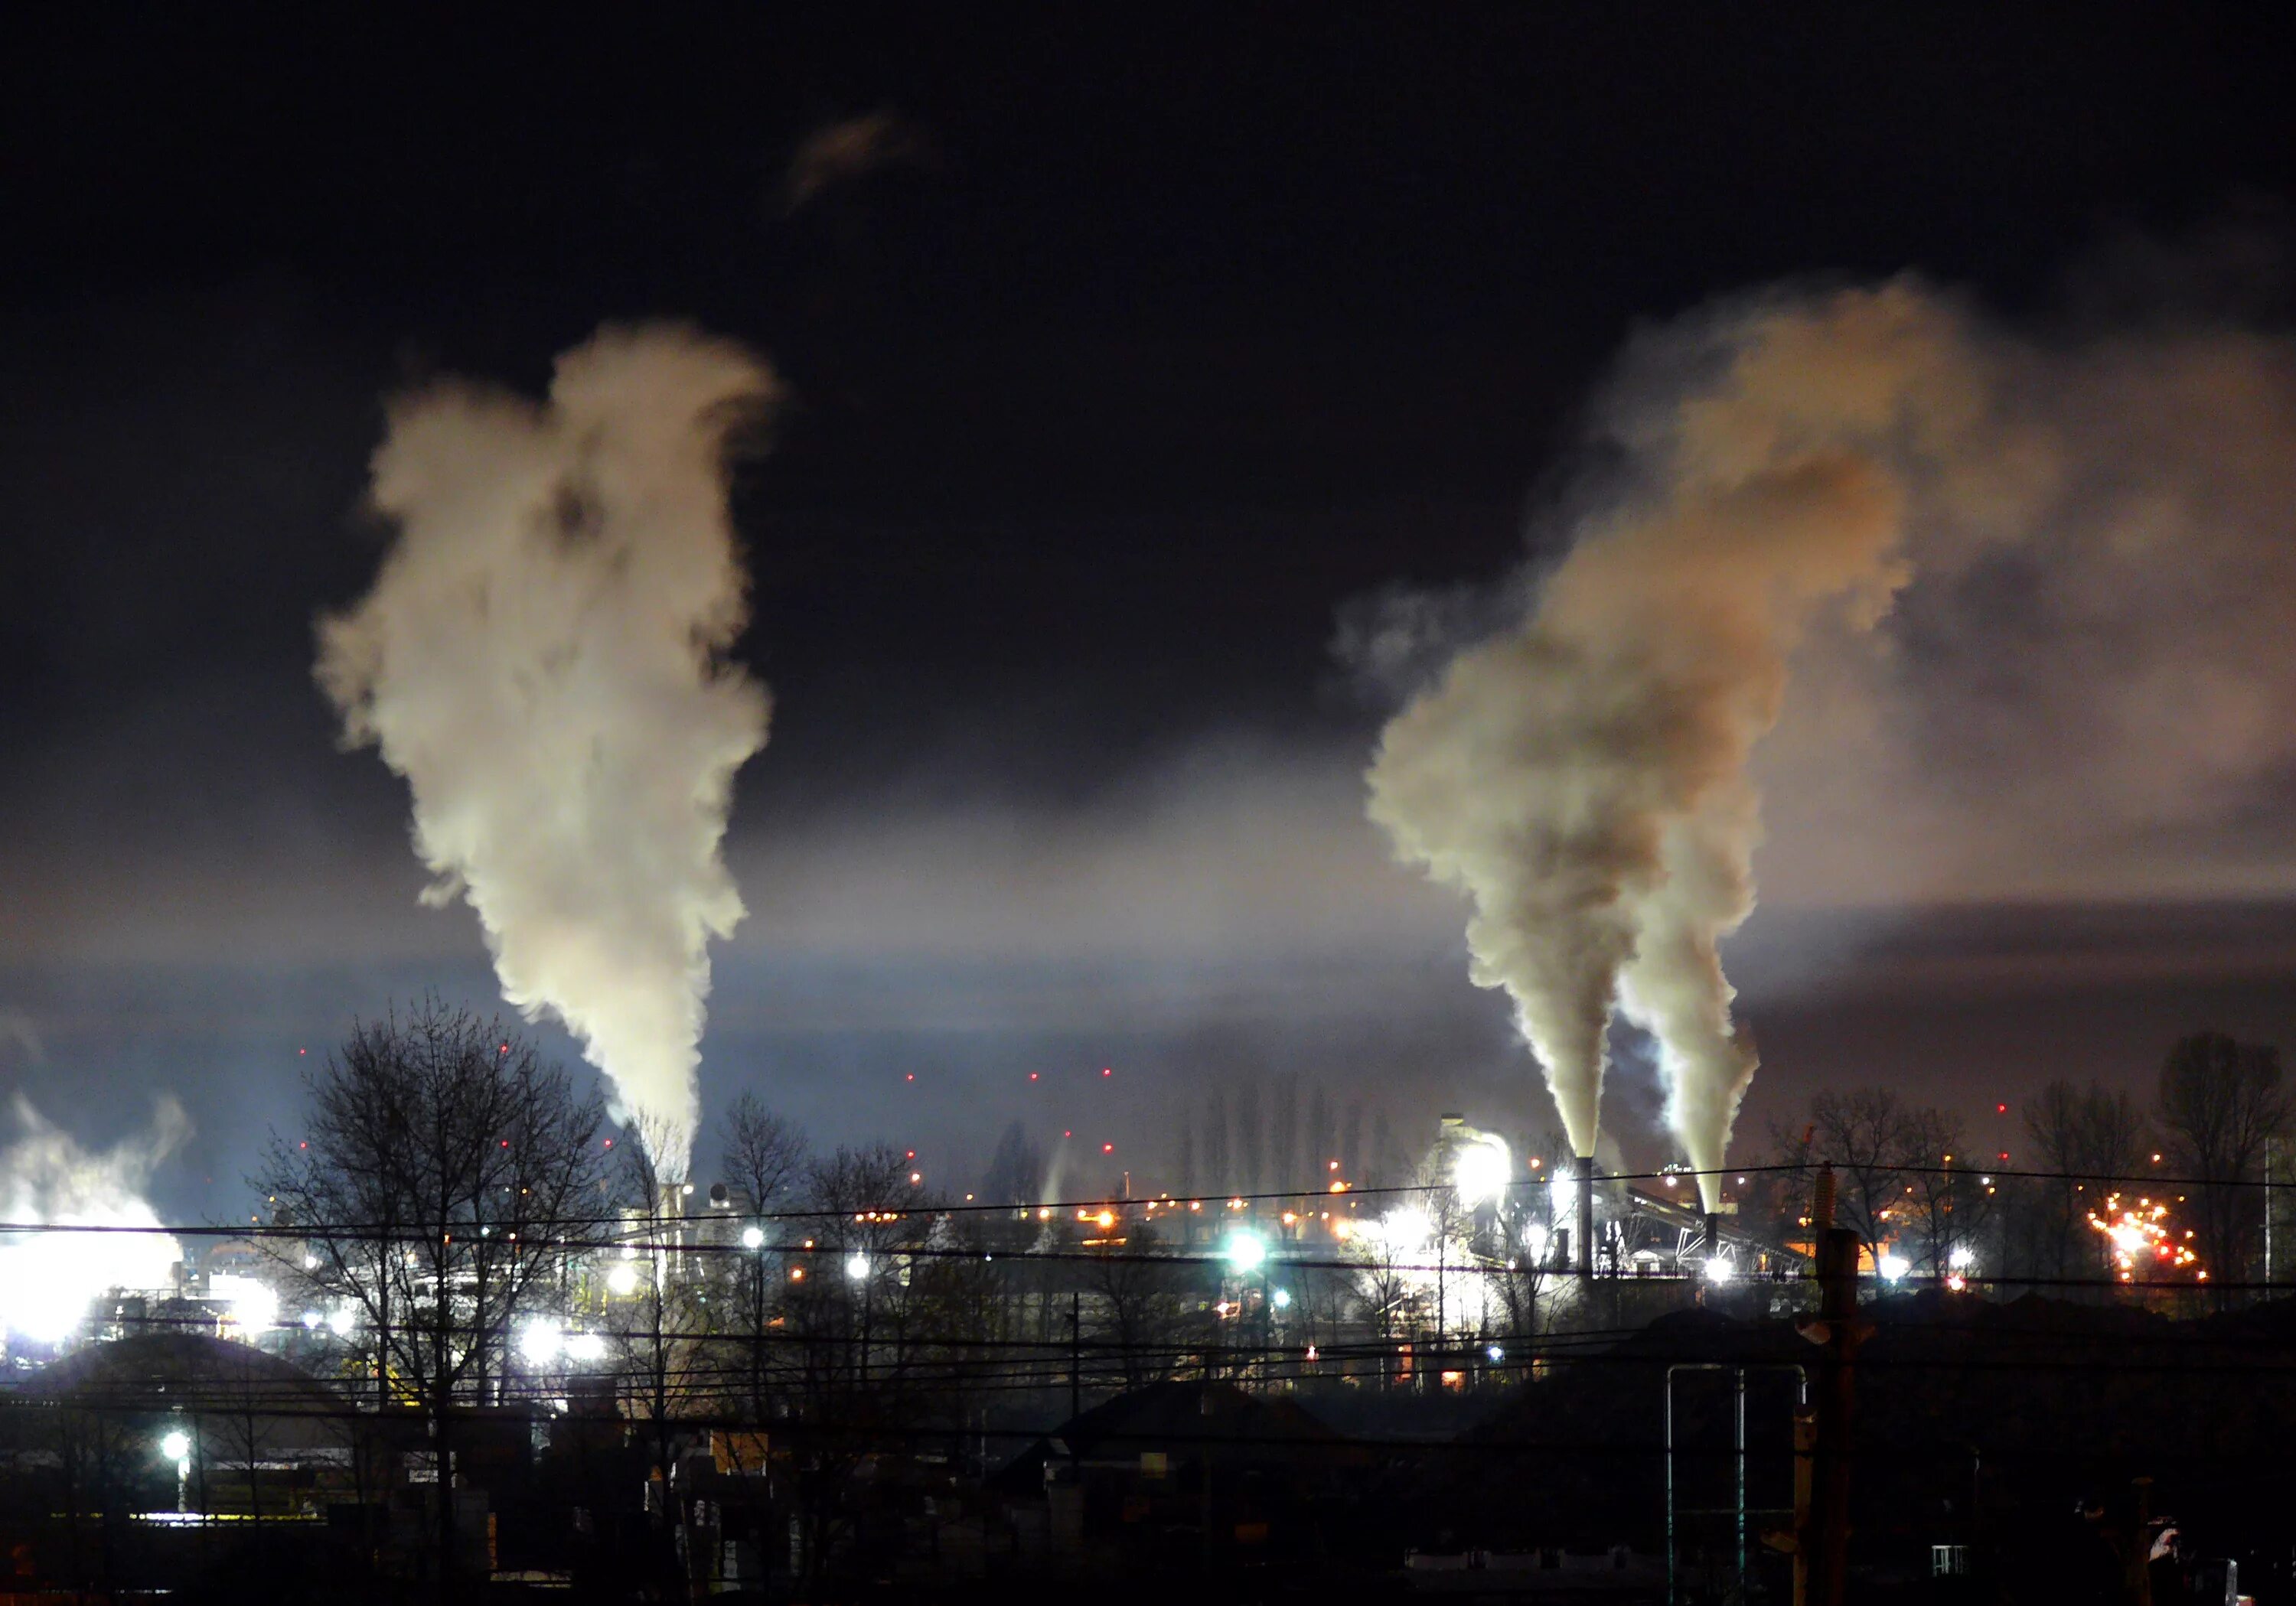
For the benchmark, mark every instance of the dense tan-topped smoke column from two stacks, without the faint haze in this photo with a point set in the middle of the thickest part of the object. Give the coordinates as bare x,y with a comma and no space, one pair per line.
1583,777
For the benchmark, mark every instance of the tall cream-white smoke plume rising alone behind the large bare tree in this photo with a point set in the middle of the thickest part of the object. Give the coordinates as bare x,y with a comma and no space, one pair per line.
543,657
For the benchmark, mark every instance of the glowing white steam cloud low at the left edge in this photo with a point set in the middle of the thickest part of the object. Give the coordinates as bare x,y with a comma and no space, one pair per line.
52,1279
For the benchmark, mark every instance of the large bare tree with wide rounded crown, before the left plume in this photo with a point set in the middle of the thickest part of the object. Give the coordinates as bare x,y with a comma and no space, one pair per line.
444,1178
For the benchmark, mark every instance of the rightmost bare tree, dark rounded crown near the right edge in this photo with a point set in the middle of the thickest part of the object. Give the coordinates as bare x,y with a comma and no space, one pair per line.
2221,1102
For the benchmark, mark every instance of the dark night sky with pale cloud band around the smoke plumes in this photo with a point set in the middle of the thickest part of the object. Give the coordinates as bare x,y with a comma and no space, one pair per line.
1149,345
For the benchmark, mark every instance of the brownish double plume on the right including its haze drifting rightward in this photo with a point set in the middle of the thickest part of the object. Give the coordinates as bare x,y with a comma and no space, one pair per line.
2040,598
